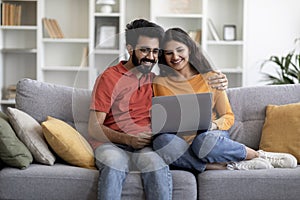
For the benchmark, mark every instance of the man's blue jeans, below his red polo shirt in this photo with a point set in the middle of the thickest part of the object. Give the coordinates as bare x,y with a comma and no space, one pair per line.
115,162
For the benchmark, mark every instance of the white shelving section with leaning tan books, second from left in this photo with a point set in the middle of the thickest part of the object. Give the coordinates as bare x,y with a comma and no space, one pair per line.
60,58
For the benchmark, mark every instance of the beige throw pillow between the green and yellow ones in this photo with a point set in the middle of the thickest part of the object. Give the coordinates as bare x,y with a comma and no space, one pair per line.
29,131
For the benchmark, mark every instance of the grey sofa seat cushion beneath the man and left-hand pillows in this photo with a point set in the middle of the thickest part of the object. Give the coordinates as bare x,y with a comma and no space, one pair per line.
63,182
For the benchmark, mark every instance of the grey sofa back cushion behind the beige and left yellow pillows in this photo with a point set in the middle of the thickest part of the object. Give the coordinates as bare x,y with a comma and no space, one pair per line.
42,99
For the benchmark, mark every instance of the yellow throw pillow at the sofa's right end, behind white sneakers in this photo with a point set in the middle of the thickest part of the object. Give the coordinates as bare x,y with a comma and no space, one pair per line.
281,130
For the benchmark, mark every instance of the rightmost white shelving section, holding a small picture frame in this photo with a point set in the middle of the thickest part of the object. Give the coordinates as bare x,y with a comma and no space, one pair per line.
228,56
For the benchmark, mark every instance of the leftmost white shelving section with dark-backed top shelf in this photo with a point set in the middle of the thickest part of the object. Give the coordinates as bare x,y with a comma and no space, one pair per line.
18,46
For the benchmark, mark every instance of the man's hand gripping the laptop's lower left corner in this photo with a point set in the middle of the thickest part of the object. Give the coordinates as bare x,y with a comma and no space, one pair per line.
140,140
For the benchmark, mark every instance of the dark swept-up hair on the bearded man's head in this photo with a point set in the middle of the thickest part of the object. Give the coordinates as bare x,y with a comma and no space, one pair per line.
142,27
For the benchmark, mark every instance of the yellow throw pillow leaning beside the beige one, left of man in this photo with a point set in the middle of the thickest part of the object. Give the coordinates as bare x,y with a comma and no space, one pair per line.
68,143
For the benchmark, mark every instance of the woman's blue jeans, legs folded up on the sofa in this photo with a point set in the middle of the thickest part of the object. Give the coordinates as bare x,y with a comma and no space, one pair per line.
208,147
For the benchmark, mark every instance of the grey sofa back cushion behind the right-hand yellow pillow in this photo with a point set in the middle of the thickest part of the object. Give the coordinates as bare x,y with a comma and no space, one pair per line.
249,107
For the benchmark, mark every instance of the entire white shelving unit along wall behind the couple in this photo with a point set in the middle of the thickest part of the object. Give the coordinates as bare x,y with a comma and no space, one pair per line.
28,51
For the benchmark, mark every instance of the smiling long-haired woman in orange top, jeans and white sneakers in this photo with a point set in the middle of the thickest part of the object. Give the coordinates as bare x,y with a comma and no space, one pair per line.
184,69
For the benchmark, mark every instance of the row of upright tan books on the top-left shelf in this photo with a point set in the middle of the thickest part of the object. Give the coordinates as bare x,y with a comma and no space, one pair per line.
11,14
